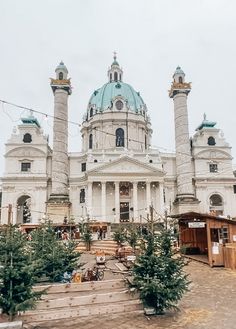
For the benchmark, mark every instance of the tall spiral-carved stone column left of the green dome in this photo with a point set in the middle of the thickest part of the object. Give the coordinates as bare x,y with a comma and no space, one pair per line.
58,205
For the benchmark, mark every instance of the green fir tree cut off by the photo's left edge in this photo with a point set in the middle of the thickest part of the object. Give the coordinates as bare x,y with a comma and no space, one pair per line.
17,273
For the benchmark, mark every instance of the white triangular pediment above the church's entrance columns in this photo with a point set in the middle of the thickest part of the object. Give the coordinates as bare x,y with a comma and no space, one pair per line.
126,165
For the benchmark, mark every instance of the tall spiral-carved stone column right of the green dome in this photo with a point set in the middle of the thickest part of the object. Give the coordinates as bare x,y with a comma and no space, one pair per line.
185,198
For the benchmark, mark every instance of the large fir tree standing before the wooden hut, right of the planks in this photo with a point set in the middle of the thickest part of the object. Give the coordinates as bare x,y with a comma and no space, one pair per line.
159,273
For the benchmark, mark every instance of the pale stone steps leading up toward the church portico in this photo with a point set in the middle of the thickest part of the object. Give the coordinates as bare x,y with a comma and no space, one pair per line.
108,246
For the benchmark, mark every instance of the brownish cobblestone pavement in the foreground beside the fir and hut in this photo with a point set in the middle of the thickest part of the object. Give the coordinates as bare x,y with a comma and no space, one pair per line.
210,304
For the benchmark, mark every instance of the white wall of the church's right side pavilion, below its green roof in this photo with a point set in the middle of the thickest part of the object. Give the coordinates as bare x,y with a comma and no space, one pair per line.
220,182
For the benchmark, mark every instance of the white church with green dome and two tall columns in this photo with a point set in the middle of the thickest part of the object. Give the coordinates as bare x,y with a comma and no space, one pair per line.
117,175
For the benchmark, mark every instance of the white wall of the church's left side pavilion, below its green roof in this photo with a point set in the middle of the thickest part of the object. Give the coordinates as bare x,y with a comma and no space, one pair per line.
15,183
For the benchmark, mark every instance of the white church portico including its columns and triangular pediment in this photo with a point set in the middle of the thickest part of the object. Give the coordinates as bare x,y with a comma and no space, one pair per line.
122,191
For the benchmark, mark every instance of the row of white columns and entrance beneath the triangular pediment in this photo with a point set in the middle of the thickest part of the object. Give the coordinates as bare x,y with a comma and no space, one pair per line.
122,201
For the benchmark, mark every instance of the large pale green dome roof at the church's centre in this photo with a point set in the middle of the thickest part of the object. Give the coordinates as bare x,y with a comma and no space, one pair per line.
102,98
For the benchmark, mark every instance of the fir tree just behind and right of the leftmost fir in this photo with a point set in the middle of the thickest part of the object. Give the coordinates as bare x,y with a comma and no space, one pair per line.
55,256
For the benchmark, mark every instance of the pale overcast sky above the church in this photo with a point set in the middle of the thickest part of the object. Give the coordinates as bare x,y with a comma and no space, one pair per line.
151,38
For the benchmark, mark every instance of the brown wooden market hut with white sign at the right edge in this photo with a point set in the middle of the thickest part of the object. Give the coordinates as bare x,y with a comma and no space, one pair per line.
208,238
